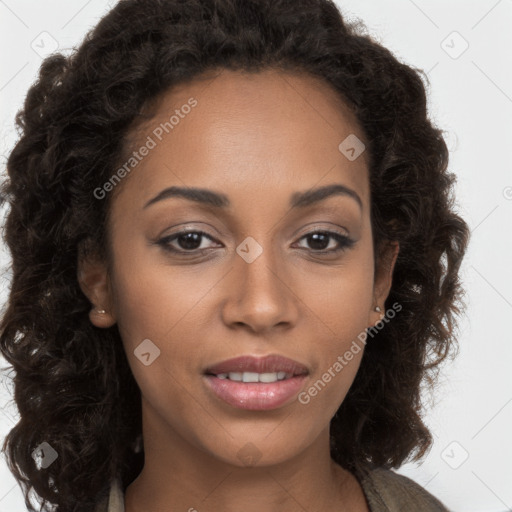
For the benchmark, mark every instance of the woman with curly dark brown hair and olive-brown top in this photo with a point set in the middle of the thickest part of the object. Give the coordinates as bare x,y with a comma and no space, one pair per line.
235,260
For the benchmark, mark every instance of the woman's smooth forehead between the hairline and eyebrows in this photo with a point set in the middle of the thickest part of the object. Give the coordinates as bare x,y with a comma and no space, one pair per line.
266,131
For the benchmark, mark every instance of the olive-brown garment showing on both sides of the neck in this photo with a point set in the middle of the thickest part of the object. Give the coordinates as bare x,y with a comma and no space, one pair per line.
385,491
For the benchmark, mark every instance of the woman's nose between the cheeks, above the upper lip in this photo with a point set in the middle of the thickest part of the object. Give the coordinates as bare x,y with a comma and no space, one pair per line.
259,295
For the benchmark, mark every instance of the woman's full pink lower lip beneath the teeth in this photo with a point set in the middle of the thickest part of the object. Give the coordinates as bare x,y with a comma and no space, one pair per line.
256,396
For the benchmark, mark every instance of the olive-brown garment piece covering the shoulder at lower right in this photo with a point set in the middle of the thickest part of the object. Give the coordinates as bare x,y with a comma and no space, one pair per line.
386,491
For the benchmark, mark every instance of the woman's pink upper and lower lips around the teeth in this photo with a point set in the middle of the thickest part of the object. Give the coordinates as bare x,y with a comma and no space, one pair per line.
257,396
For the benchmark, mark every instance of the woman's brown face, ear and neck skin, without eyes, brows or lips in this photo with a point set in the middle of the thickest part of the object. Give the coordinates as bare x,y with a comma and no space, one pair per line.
257,138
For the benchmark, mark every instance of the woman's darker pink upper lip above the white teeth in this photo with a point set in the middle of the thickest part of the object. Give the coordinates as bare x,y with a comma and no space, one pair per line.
267,364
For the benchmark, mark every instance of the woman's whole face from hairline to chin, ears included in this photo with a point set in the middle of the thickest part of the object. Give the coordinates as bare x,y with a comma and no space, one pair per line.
268,267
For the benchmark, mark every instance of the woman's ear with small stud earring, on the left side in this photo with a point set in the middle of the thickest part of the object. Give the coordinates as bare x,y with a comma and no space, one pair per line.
94,281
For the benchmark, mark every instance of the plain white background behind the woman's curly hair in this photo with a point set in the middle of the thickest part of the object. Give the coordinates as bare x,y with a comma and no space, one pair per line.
470,96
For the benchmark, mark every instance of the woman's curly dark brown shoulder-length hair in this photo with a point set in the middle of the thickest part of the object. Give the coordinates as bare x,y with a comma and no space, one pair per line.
73,385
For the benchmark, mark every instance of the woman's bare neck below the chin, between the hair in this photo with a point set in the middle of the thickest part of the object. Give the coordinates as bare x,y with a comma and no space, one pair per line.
177,475
